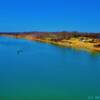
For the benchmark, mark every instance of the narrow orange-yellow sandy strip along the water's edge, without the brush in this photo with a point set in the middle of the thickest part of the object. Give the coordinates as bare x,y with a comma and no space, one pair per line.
72,43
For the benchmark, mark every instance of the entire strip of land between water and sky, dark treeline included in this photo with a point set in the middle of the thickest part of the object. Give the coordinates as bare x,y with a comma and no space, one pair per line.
89,41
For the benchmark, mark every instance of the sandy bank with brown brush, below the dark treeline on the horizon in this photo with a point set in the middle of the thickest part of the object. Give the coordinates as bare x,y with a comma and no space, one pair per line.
80,42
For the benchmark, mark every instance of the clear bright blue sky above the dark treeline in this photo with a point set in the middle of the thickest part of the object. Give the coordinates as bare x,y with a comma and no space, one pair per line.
49,15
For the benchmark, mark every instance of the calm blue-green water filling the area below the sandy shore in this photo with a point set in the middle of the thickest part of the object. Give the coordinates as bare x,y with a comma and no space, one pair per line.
38,71
